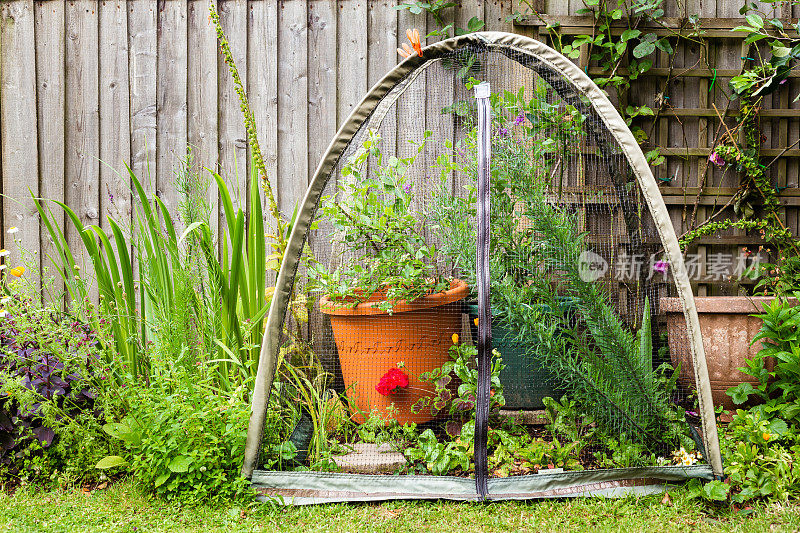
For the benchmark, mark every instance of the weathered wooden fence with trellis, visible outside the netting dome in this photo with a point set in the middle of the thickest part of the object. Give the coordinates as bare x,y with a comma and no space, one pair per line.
89,85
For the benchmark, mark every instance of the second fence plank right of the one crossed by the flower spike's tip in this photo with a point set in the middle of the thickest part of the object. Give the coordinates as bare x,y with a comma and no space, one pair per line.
292,103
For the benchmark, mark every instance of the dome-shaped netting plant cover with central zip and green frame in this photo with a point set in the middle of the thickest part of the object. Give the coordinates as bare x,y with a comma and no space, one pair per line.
375,385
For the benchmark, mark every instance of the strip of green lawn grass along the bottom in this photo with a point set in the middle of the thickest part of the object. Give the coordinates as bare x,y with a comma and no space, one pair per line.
125,507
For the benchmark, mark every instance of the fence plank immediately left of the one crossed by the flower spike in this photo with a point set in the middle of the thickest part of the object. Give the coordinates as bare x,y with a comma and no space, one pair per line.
202,97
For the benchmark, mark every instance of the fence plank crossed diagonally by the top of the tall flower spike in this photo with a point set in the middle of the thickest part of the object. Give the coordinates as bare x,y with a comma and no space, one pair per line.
232,133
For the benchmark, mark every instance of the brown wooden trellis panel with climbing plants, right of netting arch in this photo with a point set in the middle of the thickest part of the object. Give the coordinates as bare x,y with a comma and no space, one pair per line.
689,92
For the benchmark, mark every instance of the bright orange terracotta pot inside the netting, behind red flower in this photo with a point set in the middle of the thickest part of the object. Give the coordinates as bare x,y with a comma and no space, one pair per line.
370,342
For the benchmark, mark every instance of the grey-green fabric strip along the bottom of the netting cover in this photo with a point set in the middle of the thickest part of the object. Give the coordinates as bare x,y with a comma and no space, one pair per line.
308,488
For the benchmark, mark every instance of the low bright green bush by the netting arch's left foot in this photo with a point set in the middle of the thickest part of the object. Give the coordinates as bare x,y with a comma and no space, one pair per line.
183,441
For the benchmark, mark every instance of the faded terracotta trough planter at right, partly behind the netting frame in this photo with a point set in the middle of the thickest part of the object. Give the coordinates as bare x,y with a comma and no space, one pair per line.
727,329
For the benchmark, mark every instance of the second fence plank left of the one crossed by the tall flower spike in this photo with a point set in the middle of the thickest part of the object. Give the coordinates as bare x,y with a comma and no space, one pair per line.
171,124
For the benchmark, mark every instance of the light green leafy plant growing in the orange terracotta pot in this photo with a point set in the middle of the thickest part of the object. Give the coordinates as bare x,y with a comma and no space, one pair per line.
372,215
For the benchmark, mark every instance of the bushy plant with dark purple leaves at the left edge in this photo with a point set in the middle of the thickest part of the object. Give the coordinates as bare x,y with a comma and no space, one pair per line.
53,381
